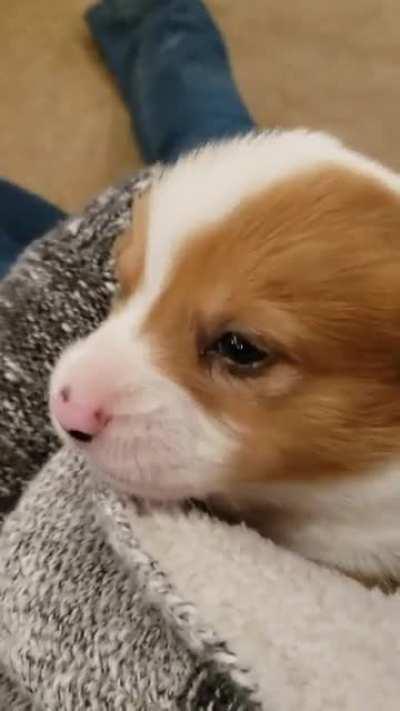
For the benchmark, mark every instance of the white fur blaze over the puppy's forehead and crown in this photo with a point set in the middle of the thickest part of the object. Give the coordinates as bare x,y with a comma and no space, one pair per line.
205,186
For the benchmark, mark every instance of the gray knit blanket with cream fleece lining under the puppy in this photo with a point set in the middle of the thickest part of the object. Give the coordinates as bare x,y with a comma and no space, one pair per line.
107,604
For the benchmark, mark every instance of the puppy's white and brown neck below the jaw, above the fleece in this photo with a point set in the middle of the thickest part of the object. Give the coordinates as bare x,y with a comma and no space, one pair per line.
350,524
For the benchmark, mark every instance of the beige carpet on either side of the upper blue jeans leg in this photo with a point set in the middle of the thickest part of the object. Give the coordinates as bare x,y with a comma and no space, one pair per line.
65,133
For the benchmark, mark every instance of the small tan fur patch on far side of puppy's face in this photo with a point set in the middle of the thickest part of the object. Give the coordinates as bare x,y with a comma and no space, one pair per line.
130,248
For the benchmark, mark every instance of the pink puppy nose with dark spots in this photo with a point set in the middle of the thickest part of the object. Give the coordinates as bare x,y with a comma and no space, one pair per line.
81,419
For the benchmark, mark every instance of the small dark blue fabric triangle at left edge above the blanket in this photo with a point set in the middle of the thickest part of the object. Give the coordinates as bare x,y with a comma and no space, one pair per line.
23,216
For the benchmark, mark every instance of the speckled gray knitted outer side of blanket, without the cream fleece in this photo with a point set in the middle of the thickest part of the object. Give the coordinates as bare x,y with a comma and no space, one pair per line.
87,619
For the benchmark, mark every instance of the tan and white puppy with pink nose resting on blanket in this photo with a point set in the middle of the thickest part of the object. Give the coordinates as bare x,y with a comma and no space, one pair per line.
252,359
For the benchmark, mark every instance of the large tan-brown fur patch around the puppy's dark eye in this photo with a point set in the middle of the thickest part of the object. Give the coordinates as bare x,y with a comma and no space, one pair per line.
311,269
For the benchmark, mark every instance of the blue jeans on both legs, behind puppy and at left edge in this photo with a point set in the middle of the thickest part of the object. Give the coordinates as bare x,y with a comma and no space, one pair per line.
172,69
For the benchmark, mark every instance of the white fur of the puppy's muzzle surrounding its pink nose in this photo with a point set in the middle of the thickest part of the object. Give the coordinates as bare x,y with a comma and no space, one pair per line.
159,443
